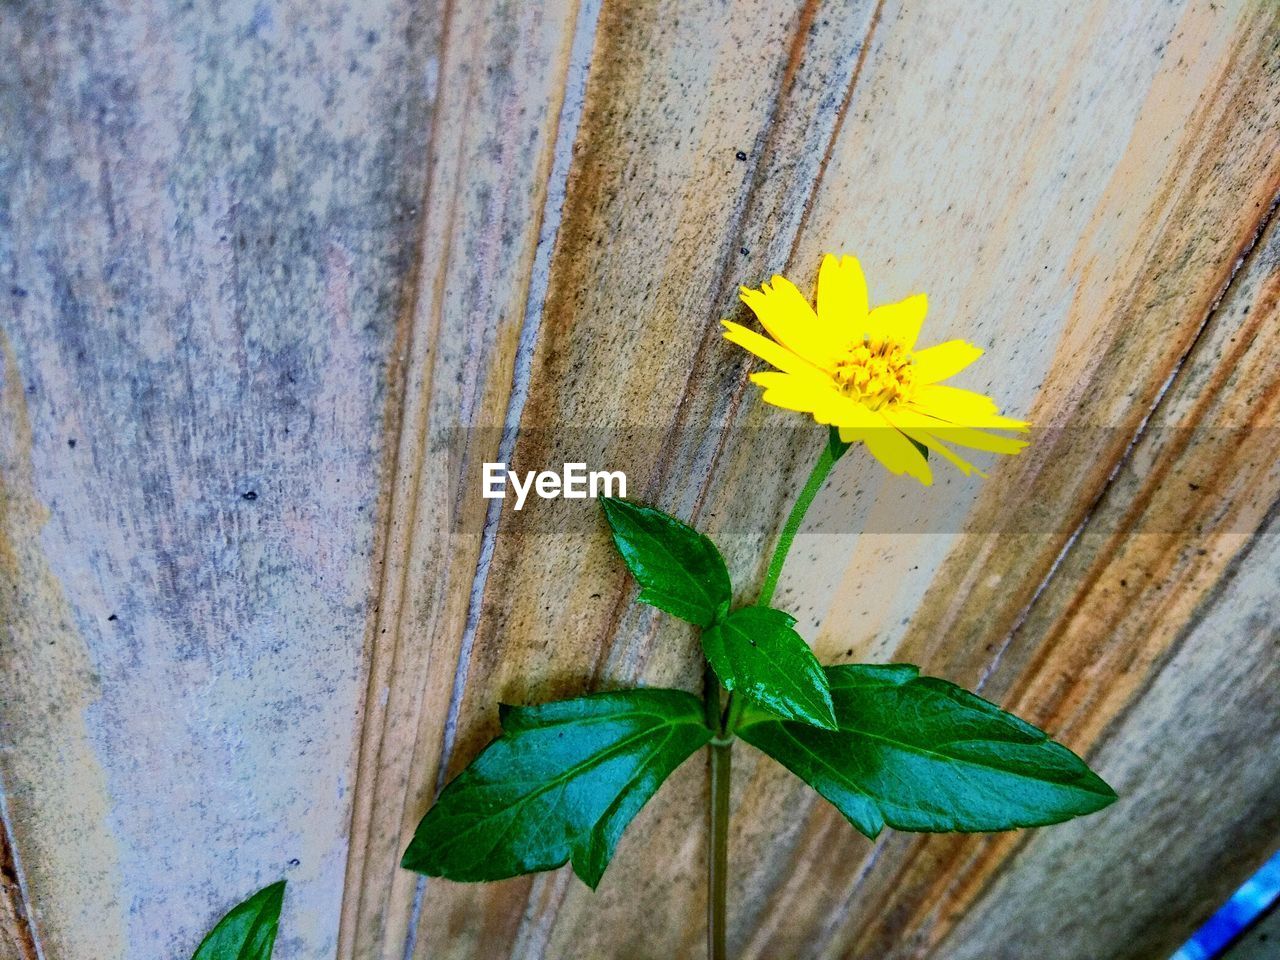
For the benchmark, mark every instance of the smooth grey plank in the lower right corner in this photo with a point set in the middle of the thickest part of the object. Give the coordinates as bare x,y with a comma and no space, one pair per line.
1194,762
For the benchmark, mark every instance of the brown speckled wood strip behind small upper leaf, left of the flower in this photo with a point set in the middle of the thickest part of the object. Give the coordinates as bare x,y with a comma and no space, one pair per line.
716,102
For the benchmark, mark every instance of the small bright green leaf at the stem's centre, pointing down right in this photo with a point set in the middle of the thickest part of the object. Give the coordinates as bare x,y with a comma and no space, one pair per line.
756,652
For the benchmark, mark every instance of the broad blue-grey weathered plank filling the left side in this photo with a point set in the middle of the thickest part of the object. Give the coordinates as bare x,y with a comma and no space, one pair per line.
207,221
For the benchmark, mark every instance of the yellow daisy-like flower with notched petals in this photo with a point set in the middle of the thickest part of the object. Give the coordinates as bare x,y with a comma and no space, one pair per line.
858,371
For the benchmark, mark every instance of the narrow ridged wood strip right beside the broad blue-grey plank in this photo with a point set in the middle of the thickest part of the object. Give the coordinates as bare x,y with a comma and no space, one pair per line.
511,75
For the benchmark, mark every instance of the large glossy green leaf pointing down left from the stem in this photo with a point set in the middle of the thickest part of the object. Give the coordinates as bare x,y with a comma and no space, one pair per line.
561,784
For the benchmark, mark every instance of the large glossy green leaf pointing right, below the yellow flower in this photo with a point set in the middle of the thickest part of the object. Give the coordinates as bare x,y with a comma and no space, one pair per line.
922,755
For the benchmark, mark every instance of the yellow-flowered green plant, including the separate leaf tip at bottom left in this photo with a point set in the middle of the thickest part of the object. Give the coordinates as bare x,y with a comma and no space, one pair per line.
884,744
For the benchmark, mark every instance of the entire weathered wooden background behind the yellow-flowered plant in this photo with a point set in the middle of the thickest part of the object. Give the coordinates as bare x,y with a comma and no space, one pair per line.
223,239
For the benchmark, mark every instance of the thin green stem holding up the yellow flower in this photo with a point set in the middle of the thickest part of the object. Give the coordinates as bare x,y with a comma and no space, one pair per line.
725,723
